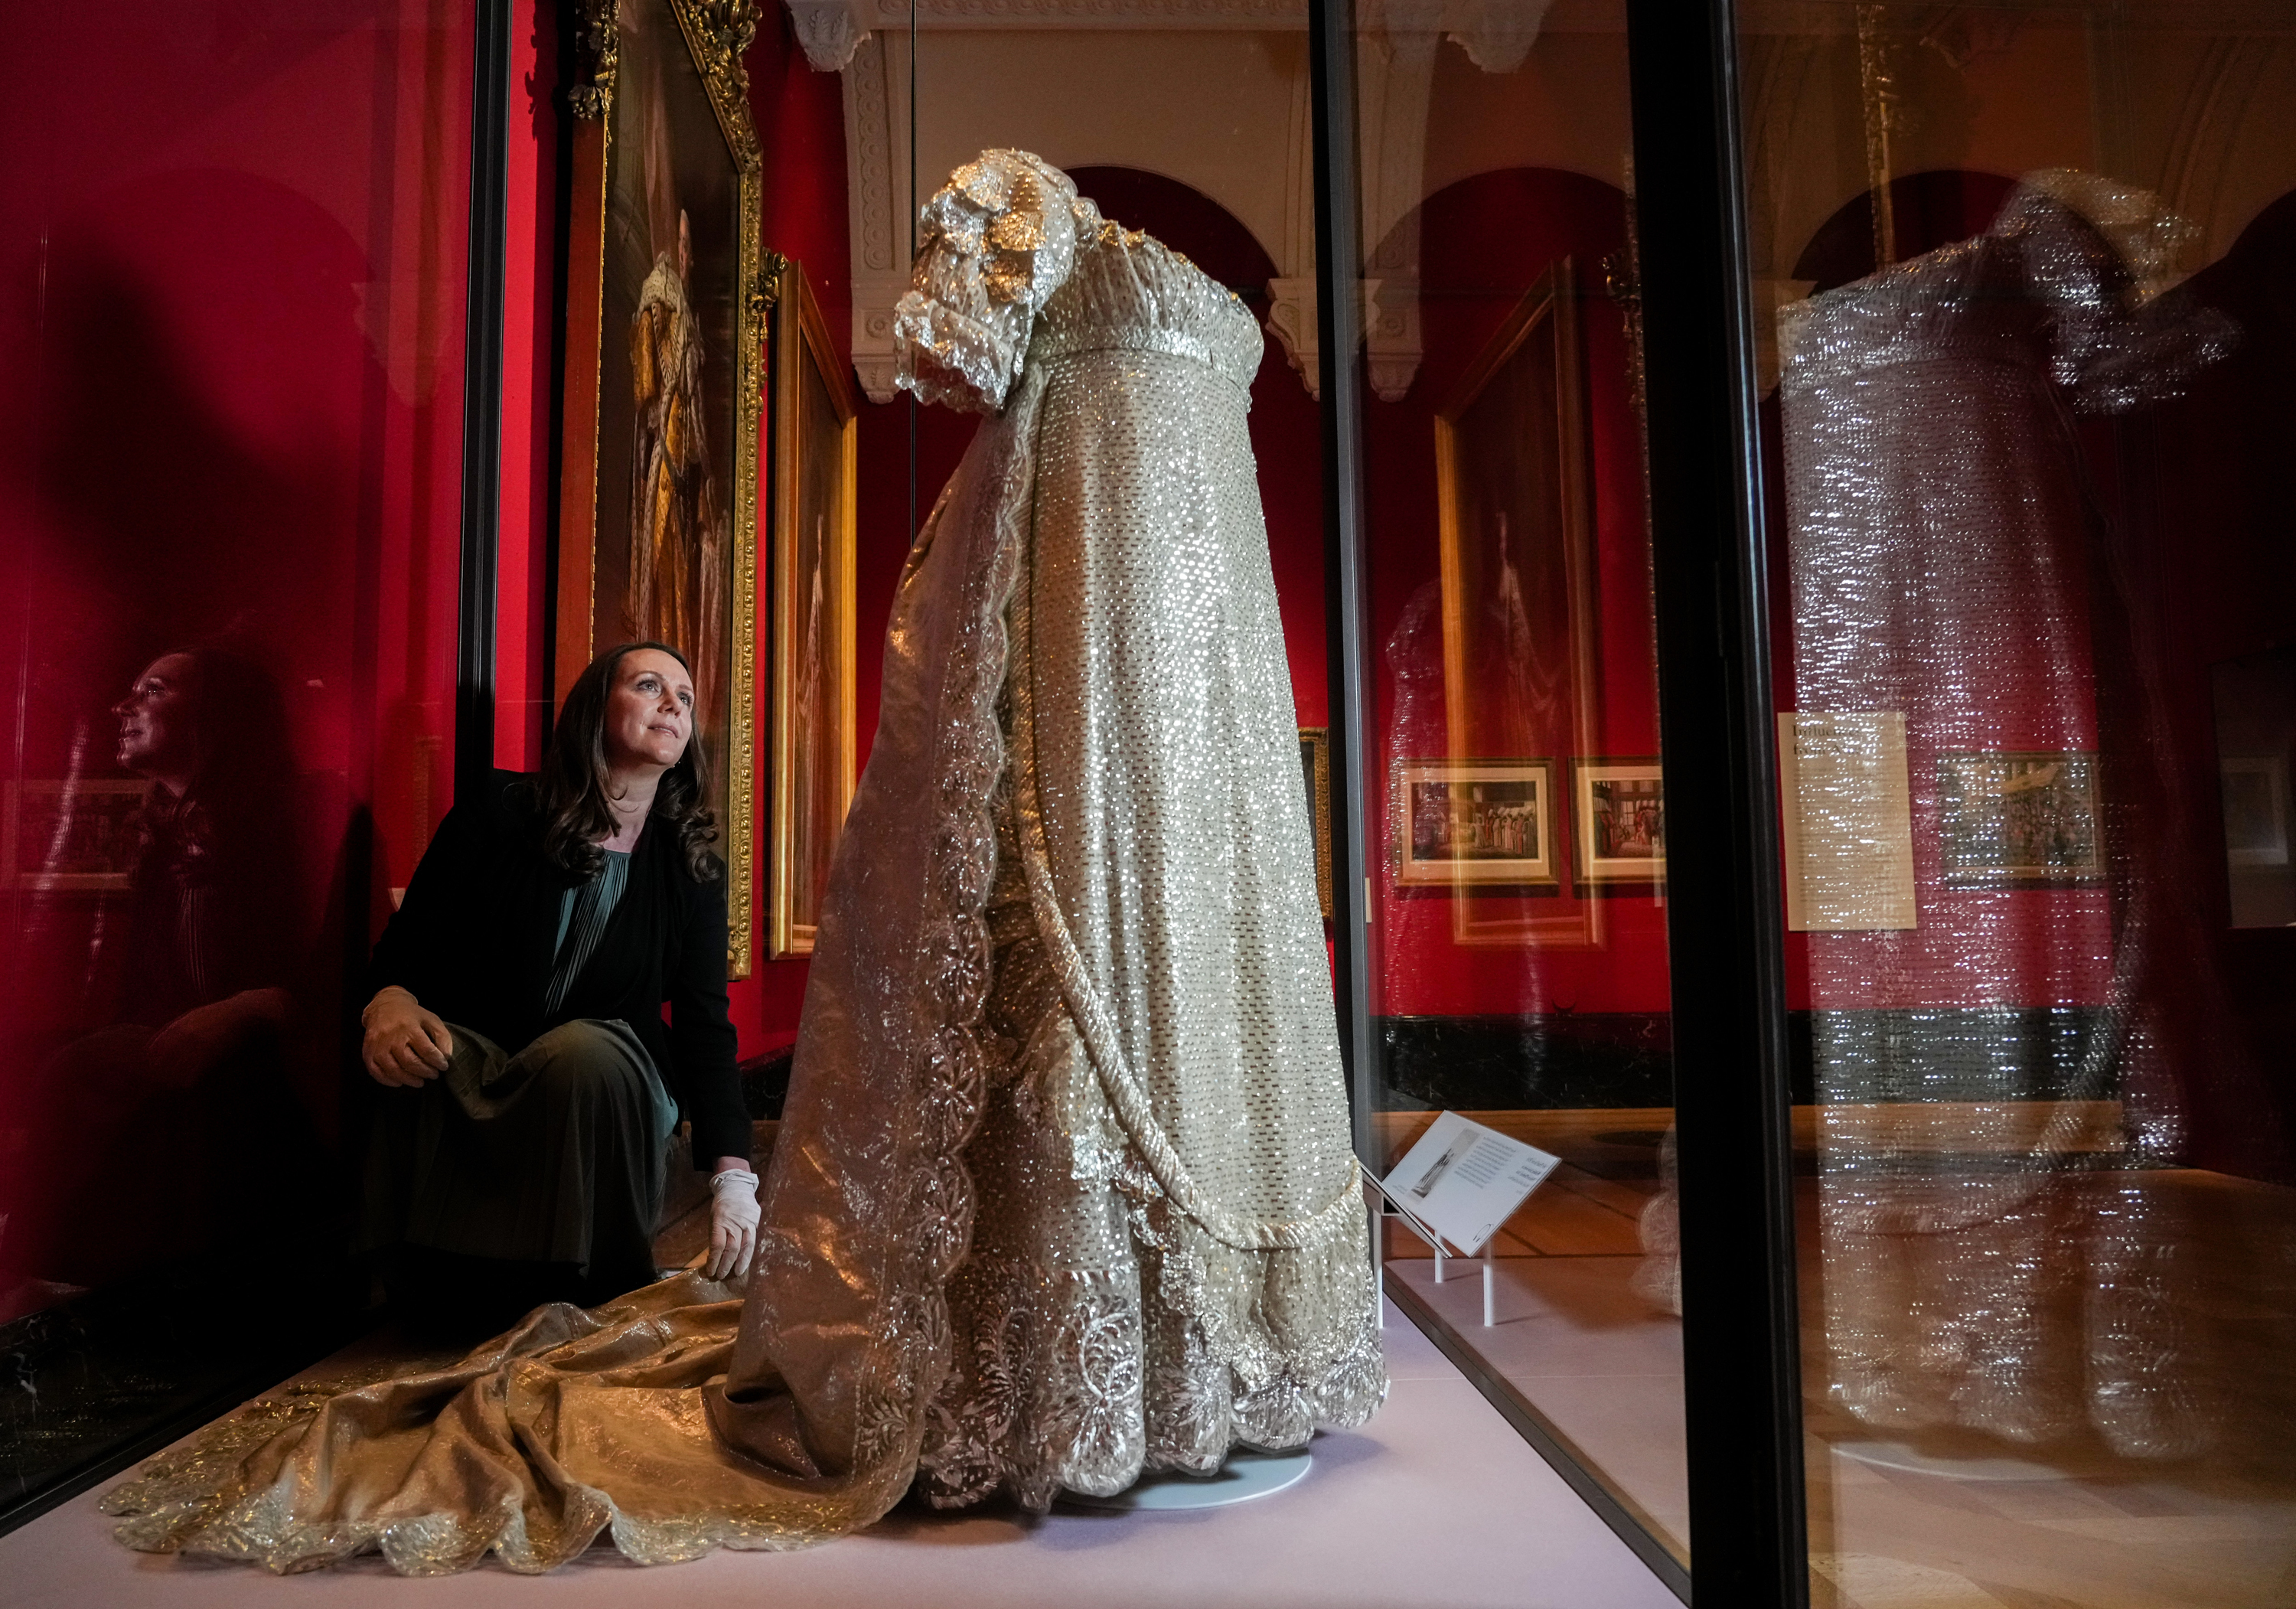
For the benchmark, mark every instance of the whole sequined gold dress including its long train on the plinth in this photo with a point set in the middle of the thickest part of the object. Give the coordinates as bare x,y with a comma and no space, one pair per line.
1064,1186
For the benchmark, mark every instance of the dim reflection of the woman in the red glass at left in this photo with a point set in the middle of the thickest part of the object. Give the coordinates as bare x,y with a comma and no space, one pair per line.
189,1075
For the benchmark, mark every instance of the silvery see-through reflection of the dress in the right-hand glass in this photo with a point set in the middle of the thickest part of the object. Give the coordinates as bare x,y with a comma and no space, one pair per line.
1944,568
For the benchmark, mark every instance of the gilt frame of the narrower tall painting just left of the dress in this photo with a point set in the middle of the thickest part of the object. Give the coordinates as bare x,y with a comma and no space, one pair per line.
800,341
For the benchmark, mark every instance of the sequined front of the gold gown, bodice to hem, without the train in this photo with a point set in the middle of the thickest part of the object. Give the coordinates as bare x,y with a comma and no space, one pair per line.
1170,1247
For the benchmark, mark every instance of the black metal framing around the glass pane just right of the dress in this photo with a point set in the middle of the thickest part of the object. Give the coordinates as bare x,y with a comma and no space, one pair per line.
1742,1335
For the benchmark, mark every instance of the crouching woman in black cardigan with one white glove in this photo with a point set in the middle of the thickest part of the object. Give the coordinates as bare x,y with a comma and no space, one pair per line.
518,1020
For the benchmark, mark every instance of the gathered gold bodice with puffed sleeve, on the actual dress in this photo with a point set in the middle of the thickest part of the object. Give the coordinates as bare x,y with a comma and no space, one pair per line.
1018,270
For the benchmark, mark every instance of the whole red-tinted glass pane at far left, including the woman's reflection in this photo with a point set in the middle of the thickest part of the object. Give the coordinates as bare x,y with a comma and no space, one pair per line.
235,318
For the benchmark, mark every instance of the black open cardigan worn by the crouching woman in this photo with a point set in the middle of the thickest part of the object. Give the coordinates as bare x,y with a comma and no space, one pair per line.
479,928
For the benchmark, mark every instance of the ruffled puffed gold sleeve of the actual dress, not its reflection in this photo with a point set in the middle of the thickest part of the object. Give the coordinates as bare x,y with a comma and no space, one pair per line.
998,244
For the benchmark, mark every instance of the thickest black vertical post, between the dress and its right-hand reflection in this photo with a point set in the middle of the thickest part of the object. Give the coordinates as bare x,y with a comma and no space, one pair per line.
1725,922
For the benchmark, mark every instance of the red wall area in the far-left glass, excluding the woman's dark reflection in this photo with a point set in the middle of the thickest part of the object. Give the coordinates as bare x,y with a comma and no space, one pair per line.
231,382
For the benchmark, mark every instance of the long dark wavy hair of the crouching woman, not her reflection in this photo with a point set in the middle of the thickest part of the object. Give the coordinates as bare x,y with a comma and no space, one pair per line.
573,786
